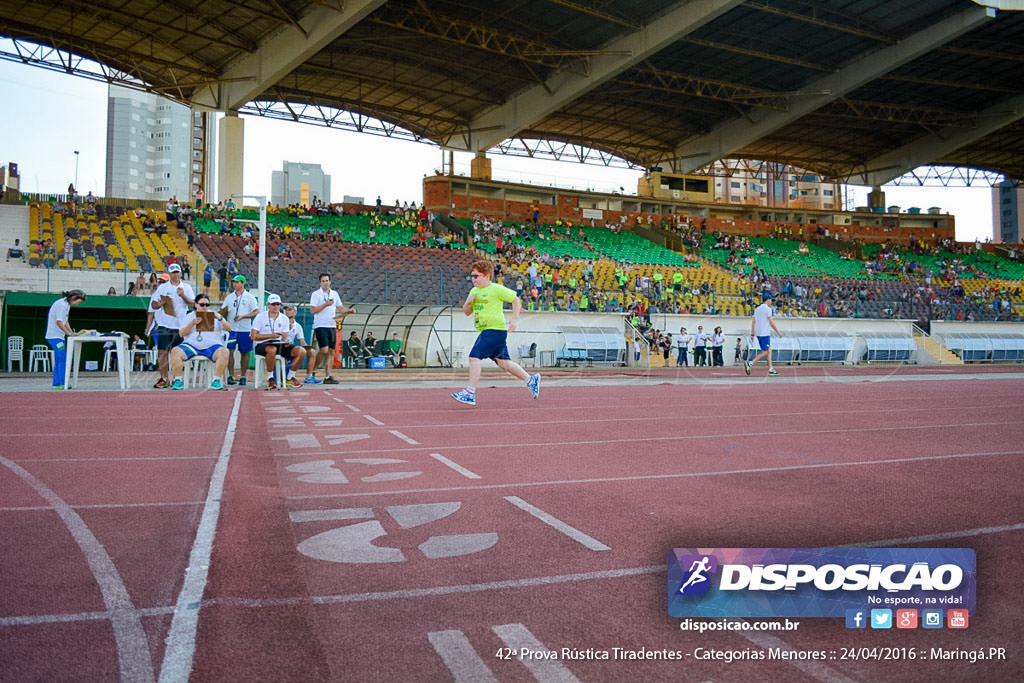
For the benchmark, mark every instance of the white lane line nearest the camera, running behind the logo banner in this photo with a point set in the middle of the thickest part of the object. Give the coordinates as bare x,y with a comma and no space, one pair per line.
466,588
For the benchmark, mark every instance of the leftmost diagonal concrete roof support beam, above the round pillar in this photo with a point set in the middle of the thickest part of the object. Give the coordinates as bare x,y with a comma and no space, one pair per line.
253,74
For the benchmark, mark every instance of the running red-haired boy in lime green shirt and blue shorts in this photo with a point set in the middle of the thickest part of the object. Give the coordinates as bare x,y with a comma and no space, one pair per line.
485,305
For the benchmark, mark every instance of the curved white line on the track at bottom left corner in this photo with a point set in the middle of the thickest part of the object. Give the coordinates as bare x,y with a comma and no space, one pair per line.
134,650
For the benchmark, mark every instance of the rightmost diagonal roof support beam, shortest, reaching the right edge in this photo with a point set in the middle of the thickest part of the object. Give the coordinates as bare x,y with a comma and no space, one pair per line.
932,148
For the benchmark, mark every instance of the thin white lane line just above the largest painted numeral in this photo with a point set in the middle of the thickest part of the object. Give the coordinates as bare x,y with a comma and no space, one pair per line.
672,476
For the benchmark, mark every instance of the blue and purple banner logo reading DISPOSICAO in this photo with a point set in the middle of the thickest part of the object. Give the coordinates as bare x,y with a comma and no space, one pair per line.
818,582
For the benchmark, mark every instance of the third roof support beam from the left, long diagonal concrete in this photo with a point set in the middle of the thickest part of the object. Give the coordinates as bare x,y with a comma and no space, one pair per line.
738,134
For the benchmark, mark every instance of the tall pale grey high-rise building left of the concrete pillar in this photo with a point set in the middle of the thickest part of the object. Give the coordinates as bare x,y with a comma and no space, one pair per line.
149,147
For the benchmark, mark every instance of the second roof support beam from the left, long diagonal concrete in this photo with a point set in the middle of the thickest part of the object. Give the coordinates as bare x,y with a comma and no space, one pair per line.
536,103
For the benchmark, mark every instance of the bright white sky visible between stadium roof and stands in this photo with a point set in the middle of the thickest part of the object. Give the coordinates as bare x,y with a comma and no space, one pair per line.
48,116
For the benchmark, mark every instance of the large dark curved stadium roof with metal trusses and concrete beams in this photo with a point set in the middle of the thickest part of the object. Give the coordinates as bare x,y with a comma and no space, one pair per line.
858,91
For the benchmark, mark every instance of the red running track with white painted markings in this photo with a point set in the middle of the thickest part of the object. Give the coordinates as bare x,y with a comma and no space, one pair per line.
393,535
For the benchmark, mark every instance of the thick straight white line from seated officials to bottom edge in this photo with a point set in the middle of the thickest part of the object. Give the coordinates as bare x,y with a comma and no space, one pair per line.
182,638
